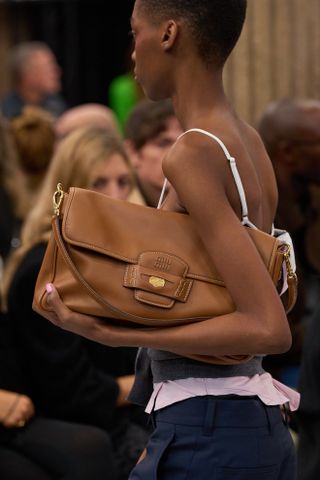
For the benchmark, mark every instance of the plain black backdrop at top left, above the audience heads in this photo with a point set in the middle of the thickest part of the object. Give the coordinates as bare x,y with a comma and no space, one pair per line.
90,39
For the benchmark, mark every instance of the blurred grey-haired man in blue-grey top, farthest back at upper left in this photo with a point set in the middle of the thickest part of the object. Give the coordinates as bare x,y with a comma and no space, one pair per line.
35,78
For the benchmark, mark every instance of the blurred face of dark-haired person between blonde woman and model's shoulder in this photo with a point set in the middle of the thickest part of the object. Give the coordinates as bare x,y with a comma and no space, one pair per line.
149,158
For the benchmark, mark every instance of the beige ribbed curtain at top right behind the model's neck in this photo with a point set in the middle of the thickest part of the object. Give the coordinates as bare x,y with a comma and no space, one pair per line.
278,55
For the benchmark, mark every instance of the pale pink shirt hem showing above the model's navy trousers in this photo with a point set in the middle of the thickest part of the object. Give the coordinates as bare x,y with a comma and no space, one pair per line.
269,390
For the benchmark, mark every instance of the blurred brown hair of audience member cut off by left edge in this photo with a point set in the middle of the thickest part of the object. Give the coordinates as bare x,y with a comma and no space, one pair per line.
13,194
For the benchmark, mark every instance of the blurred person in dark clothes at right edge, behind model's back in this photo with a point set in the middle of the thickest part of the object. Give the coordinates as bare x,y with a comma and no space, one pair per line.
291,131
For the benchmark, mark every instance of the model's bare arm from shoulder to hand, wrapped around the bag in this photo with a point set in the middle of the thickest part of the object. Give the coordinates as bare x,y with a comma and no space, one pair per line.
258,325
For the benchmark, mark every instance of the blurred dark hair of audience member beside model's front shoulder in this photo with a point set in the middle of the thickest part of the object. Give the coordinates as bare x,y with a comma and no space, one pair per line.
147,120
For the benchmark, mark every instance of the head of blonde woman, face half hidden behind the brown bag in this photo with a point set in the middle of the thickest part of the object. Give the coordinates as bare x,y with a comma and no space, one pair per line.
87,158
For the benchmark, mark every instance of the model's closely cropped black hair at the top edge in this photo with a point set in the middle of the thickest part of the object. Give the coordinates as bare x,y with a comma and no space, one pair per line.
215,24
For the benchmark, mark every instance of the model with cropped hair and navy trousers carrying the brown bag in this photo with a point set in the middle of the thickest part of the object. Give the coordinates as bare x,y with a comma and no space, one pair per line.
211,421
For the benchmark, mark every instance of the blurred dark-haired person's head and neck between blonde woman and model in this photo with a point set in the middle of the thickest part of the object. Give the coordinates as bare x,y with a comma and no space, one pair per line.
151,130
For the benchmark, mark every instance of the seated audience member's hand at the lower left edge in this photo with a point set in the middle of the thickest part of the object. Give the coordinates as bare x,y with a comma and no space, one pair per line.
15,409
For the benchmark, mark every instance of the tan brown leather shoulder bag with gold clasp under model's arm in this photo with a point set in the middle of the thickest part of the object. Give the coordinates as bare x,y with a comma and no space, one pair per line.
141,266
